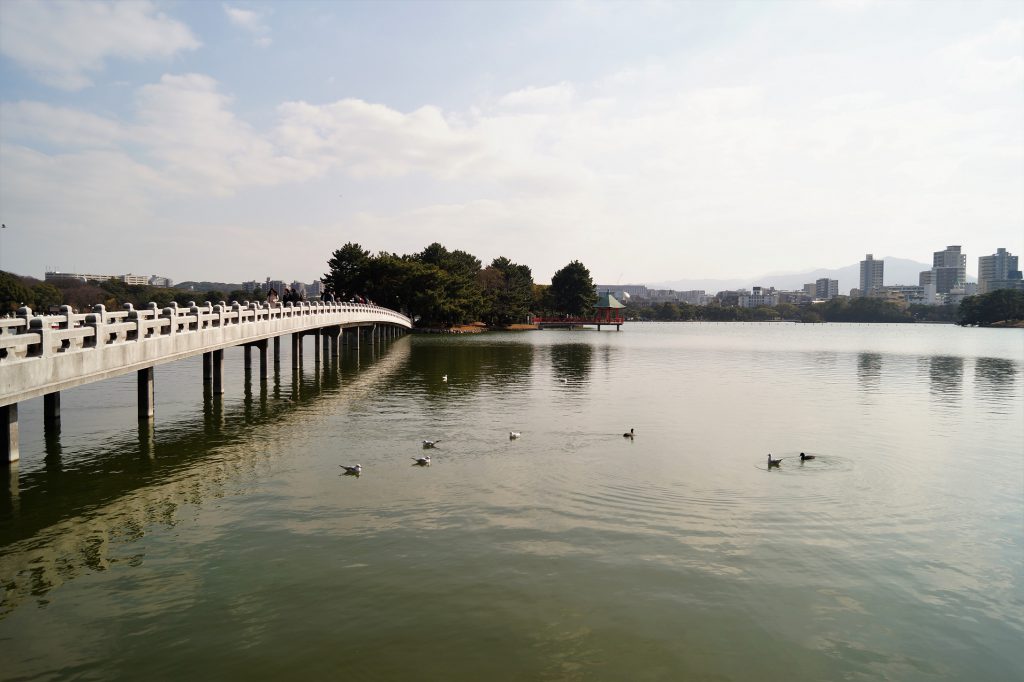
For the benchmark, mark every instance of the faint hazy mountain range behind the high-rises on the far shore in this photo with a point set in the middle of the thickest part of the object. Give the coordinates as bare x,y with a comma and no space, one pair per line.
899,271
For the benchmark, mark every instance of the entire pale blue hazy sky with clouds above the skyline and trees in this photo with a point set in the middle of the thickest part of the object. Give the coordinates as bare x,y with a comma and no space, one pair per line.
654,142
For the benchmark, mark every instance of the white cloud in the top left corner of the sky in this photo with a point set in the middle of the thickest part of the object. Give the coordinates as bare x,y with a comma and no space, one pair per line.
63,44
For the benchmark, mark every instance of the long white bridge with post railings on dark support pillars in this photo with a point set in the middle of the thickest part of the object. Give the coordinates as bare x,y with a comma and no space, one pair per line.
46,355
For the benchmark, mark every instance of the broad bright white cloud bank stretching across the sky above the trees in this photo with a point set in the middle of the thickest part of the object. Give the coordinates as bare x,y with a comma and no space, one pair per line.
630,170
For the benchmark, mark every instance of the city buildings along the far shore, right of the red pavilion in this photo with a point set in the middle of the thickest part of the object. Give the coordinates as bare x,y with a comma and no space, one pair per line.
945,284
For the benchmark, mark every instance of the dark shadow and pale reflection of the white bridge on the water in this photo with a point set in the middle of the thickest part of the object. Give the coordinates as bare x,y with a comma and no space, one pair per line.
60,521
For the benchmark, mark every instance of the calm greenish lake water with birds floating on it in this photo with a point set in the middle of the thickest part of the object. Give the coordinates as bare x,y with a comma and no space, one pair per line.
227,544
